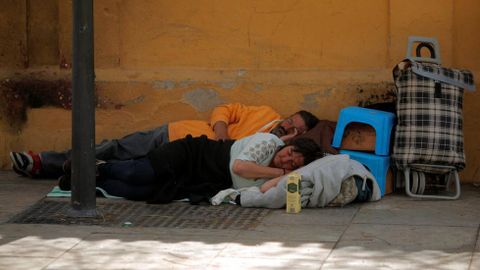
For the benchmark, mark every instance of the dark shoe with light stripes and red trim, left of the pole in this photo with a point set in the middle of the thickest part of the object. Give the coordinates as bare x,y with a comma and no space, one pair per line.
26,163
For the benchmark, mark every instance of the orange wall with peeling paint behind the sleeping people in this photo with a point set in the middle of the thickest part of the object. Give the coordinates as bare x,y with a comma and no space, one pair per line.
160,61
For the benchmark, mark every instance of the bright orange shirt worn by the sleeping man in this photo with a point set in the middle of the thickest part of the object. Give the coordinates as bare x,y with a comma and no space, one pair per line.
242,121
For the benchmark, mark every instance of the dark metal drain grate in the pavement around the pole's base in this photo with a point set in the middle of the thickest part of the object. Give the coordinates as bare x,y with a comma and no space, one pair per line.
174,215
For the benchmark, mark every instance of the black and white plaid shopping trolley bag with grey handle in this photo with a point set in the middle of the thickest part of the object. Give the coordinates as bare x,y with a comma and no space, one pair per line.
429,106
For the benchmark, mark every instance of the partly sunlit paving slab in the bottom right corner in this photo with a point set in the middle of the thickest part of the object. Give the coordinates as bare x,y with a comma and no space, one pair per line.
366,246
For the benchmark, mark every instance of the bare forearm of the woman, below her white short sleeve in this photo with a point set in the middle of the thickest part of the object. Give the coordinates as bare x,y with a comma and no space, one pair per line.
251,170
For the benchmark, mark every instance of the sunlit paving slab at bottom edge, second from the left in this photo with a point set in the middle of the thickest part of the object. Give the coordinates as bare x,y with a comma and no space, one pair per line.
138,251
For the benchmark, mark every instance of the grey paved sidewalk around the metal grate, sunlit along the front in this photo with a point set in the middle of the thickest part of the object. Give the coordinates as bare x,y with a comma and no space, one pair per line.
397,232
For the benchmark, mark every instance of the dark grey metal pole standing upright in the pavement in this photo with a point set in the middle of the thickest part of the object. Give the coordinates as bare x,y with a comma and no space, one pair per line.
83,200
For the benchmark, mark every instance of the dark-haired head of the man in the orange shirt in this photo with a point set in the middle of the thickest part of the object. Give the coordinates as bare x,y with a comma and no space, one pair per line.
300,121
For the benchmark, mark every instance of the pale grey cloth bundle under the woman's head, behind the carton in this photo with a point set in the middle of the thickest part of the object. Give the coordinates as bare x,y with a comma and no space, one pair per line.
320,185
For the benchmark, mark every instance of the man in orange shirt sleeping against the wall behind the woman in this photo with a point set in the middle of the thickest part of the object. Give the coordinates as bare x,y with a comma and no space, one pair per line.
228,121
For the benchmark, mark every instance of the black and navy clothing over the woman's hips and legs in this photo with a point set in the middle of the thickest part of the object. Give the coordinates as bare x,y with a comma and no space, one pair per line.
193,168
